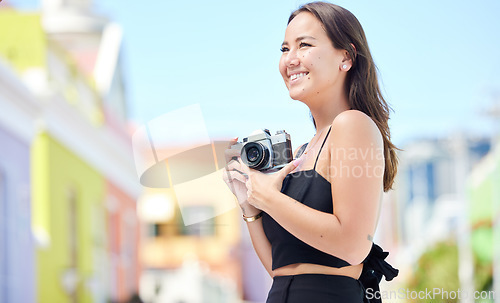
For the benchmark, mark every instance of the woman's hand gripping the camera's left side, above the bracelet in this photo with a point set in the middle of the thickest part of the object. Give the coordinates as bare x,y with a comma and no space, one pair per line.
235,179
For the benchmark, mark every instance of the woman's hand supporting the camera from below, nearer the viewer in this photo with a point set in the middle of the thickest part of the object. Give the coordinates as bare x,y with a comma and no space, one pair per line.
261,187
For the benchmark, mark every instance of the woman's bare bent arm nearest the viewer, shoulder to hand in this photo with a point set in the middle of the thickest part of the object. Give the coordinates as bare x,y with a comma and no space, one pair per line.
356,174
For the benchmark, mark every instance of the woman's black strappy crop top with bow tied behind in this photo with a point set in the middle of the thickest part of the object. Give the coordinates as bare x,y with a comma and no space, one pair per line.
313,190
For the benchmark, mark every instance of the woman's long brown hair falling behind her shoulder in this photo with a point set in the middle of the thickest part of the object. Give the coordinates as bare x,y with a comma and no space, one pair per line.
345,32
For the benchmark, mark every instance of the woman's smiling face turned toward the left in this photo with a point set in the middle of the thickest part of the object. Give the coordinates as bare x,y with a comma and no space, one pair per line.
310,65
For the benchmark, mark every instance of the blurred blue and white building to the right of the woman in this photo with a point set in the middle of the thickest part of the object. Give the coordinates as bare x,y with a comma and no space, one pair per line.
429,204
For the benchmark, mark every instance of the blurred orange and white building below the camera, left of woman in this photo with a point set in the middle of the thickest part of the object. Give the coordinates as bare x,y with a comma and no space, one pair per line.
191,252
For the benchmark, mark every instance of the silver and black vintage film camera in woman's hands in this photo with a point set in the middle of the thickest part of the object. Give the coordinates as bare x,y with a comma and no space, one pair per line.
264,152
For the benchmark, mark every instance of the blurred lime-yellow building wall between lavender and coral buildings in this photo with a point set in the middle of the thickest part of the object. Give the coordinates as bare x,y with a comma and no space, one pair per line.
67,193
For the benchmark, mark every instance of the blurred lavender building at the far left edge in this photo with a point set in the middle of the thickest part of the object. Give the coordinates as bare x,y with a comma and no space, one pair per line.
17,115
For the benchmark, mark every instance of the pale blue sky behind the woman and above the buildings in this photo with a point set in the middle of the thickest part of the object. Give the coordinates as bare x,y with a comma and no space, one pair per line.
438,62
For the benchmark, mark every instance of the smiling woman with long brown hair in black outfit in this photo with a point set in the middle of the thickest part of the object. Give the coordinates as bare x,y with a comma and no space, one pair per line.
312,223
